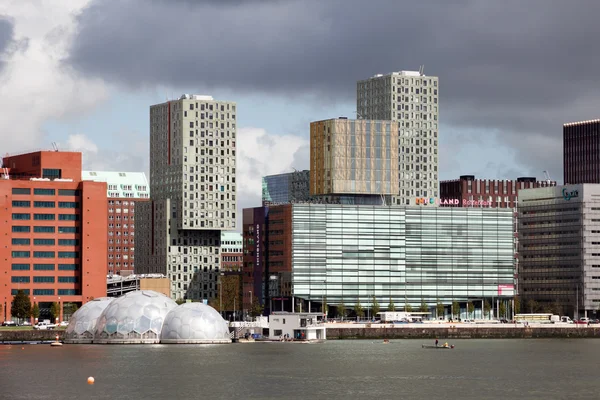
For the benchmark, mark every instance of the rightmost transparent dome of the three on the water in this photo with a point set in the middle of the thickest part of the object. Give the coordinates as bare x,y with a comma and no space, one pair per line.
194,323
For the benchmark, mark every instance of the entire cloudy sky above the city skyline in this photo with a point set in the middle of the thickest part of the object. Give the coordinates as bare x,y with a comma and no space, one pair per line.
83,73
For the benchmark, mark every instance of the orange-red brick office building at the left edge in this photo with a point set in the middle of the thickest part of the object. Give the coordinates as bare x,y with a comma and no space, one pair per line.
54,232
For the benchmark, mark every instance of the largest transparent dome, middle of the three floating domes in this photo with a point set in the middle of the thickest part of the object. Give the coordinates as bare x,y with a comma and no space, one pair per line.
136,317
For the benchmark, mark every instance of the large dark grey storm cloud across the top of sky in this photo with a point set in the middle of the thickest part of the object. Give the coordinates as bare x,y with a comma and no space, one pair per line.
520,67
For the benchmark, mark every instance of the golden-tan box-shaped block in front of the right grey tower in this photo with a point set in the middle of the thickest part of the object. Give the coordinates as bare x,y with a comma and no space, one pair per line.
353,157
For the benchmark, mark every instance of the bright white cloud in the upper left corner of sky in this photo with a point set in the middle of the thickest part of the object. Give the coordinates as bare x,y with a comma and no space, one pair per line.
35,85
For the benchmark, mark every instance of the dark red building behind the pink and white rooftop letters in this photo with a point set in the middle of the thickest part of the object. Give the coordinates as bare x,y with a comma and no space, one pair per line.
470,192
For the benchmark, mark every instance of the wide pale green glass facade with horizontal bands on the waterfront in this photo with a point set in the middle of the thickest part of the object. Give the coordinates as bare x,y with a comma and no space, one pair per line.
409,255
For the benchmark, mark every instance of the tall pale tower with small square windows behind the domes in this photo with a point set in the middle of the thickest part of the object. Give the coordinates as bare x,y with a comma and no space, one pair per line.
192,181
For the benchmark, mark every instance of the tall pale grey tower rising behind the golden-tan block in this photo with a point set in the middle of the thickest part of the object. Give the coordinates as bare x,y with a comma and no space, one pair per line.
411,98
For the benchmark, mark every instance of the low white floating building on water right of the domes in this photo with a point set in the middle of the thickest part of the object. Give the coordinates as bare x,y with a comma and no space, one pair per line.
297,326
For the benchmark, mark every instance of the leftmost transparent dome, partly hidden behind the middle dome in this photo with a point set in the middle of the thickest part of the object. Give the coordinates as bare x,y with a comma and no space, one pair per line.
82,324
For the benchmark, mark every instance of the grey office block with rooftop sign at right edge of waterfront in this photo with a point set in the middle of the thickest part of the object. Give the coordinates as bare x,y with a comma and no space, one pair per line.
559,249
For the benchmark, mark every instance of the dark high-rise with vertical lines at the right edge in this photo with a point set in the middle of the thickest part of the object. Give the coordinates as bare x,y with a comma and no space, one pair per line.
581,152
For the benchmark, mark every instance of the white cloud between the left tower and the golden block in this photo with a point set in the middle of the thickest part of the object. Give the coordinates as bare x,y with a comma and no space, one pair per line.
260,154
